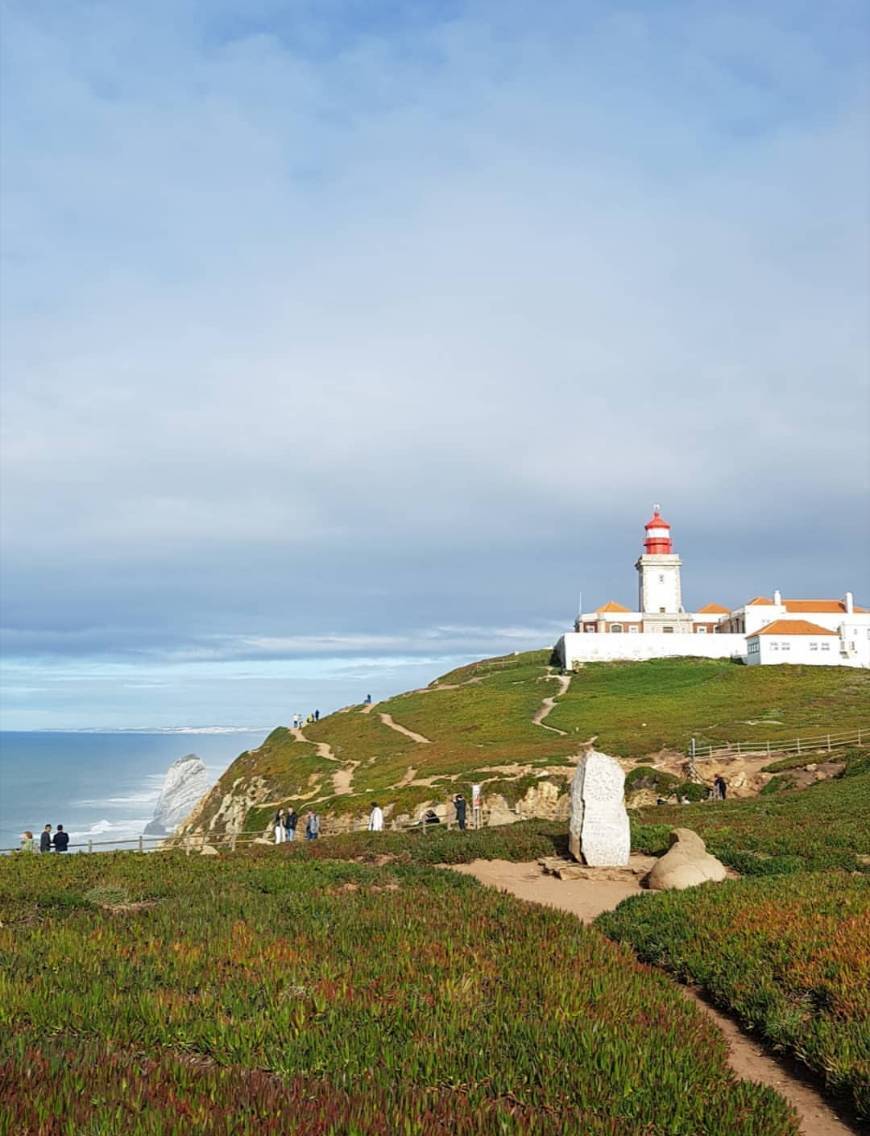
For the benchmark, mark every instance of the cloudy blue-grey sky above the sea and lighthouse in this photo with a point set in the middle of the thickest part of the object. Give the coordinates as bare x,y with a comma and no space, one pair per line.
345,341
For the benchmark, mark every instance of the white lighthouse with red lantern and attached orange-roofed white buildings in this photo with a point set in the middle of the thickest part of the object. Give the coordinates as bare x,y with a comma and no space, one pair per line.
660,625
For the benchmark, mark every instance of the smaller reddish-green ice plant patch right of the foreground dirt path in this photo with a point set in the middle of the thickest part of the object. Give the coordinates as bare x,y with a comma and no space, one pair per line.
791,957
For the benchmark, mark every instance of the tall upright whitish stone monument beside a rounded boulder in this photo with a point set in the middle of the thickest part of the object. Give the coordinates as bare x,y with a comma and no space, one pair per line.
598,832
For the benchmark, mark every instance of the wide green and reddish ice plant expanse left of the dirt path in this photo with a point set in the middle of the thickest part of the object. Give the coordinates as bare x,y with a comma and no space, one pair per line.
266,993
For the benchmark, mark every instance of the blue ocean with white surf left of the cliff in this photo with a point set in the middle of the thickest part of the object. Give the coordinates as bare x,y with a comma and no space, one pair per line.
99,787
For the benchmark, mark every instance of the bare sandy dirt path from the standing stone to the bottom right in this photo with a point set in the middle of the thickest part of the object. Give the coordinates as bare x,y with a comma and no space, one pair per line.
587,899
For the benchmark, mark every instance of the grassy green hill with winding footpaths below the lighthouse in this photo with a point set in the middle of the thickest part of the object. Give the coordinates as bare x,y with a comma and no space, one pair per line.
515,724
